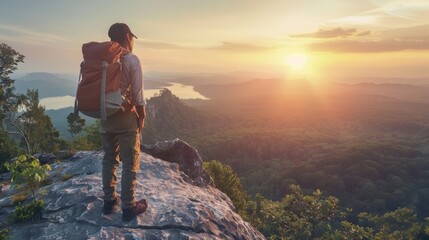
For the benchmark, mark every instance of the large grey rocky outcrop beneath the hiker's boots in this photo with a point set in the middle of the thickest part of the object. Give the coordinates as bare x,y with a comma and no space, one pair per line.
180,207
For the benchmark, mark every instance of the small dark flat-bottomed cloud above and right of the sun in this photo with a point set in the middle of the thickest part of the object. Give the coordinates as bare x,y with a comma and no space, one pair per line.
333,33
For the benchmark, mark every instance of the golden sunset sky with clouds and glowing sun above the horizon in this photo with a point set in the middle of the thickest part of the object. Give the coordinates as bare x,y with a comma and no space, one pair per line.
317,39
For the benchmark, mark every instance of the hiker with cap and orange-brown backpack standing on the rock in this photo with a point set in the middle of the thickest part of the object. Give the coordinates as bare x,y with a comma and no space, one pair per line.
111,88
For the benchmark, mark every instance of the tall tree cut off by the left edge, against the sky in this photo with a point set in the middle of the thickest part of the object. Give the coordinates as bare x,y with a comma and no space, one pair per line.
9,59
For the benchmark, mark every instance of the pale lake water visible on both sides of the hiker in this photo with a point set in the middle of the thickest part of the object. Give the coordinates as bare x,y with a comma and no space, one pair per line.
180,90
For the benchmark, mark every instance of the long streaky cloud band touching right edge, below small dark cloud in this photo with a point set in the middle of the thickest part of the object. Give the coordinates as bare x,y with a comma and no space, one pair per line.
383,45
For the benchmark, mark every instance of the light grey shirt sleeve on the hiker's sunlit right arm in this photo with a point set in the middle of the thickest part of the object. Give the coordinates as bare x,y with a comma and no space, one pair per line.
136,82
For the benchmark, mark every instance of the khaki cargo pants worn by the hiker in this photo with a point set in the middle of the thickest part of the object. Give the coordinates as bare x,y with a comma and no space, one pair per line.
121,141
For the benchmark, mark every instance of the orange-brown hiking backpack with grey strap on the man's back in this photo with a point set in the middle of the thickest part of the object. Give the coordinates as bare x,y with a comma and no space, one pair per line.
98,92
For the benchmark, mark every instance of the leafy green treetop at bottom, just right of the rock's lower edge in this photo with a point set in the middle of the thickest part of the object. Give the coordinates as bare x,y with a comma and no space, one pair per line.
297,215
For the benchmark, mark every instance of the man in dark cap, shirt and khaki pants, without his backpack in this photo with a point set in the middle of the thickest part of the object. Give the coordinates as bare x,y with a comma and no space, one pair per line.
120,133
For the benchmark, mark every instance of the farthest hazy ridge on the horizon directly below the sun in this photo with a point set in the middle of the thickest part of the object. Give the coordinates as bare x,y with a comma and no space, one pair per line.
273,88
